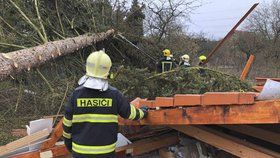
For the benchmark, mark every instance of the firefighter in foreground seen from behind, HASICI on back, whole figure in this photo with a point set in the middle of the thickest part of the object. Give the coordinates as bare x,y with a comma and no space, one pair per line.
90,123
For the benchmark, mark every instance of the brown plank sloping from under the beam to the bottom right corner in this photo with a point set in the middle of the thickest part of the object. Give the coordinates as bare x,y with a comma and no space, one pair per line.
223,142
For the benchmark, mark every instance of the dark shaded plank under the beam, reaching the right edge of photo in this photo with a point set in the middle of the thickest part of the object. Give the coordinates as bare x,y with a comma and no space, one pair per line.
259,133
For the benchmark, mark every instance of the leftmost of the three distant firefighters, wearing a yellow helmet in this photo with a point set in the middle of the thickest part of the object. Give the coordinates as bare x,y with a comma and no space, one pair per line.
165,63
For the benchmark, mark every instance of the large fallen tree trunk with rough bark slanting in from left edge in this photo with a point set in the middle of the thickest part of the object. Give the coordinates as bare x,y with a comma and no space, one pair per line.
14,62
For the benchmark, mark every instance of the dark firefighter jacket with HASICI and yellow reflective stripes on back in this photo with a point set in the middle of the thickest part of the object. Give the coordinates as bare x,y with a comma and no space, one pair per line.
90,124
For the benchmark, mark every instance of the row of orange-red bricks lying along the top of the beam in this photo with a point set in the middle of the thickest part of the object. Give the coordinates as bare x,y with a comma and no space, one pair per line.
209,98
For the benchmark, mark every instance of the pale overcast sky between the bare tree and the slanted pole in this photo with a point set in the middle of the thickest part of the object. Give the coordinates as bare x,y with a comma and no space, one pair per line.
217,17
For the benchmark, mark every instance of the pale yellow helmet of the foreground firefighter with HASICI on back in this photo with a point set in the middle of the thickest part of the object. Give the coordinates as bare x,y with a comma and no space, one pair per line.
98,65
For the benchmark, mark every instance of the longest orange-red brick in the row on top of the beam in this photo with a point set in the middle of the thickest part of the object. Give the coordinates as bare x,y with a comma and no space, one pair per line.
220,98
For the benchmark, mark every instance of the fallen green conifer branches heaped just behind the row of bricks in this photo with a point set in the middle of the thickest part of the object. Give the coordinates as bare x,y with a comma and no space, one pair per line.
195,80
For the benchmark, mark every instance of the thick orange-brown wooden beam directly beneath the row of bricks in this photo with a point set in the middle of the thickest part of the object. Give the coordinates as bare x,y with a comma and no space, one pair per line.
261,112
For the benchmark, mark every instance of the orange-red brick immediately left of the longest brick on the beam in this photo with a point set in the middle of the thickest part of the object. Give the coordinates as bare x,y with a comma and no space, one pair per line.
187,99
